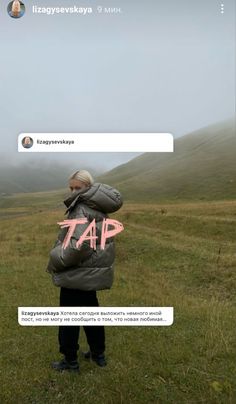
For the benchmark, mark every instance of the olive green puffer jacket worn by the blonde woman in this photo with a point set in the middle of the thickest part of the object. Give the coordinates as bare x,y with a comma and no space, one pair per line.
85,268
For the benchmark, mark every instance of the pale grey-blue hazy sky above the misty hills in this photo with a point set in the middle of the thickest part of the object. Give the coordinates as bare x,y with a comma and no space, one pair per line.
164,66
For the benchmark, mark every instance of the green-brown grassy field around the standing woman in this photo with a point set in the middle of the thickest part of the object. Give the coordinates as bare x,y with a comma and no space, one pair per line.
180,255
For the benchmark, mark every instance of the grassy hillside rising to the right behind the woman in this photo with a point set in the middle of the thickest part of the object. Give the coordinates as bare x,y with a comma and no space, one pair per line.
201,167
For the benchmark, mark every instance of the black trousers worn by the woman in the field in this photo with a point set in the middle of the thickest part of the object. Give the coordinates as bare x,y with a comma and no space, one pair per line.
68,336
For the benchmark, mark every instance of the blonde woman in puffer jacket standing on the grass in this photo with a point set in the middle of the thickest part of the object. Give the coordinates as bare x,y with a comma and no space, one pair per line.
81,272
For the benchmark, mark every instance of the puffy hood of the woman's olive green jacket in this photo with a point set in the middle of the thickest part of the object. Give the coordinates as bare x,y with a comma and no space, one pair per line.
101,197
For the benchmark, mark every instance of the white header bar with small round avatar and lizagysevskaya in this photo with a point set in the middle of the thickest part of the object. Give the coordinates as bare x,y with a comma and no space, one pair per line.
95,142
